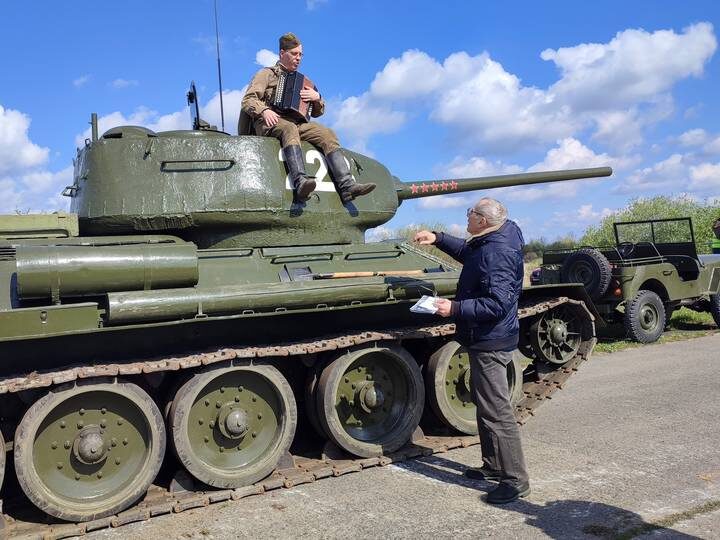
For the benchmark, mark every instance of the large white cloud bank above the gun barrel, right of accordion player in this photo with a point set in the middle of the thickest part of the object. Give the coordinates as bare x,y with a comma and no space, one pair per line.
617,89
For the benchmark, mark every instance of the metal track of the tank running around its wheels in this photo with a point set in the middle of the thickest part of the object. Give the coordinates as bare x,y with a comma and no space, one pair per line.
295,470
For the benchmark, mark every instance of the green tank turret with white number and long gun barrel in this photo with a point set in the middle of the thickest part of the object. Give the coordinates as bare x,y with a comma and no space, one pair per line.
218,190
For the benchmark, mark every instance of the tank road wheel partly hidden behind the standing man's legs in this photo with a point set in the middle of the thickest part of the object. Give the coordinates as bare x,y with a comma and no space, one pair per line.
449,388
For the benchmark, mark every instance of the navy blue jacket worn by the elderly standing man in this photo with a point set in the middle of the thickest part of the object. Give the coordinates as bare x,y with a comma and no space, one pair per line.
486,300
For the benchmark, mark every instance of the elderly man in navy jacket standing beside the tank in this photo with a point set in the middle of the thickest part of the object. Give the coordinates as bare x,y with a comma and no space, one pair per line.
485,313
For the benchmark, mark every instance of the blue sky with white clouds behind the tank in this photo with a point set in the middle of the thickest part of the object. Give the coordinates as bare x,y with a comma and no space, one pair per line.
430,89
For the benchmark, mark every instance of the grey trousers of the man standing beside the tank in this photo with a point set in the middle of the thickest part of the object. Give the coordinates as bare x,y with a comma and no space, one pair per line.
499,432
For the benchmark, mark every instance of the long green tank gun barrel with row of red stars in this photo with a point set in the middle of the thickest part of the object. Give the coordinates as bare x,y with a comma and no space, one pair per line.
428,188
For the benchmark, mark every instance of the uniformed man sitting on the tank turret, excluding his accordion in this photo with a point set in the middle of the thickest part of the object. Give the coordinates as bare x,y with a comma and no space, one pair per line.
272,122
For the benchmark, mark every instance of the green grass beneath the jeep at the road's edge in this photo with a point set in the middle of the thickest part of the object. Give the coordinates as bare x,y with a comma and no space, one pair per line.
684,324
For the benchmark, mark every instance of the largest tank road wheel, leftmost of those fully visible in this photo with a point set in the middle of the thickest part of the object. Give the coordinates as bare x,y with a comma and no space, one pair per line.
87,451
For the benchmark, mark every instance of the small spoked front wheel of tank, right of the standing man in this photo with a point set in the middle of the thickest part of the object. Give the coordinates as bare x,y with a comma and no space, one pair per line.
556,336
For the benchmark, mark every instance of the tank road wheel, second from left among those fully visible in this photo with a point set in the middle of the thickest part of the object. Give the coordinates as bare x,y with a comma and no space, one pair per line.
231,426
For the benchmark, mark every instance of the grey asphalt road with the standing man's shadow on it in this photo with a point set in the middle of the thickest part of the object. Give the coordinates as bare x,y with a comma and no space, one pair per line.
632,442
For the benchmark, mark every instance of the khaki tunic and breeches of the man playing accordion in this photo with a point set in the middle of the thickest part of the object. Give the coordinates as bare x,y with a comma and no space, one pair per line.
259,96
